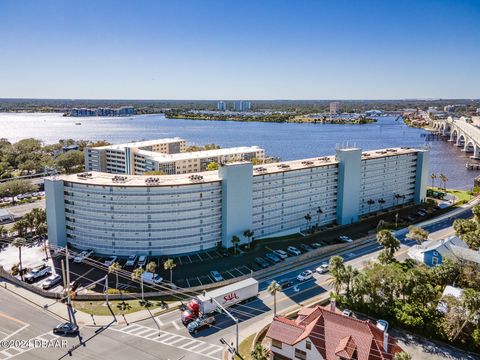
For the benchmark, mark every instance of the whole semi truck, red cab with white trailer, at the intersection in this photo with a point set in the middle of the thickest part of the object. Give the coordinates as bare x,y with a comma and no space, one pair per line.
226,296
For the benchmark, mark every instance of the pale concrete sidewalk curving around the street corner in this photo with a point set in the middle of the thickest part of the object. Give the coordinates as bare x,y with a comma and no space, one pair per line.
59,309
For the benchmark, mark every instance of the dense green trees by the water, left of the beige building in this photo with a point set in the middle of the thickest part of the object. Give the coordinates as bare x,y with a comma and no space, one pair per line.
29,156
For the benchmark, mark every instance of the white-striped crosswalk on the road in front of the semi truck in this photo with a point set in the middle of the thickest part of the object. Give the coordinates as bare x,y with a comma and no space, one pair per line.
175,340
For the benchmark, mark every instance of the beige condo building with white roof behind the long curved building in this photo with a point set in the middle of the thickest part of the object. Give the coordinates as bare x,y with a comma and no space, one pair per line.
165,155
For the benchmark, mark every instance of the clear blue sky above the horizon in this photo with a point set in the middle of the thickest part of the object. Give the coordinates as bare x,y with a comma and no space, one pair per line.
239,49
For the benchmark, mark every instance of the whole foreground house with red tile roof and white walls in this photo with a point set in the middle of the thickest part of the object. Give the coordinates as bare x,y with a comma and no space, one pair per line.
321,334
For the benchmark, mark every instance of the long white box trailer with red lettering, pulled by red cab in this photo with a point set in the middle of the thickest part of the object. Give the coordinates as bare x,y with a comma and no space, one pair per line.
228,295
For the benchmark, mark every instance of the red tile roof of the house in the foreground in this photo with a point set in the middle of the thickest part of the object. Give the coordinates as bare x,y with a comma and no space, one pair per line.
334,335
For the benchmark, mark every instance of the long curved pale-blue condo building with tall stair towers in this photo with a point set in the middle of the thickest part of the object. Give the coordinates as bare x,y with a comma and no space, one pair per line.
175,214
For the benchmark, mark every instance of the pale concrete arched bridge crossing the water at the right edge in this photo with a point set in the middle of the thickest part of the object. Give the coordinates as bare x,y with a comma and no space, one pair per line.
461,132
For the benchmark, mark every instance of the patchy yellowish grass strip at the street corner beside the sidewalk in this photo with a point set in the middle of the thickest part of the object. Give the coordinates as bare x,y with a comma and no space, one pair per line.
118,306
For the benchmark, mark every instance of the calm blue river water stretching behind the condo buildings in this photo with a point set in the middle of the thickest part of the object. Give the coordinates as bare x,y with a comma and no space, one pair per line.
287,141
